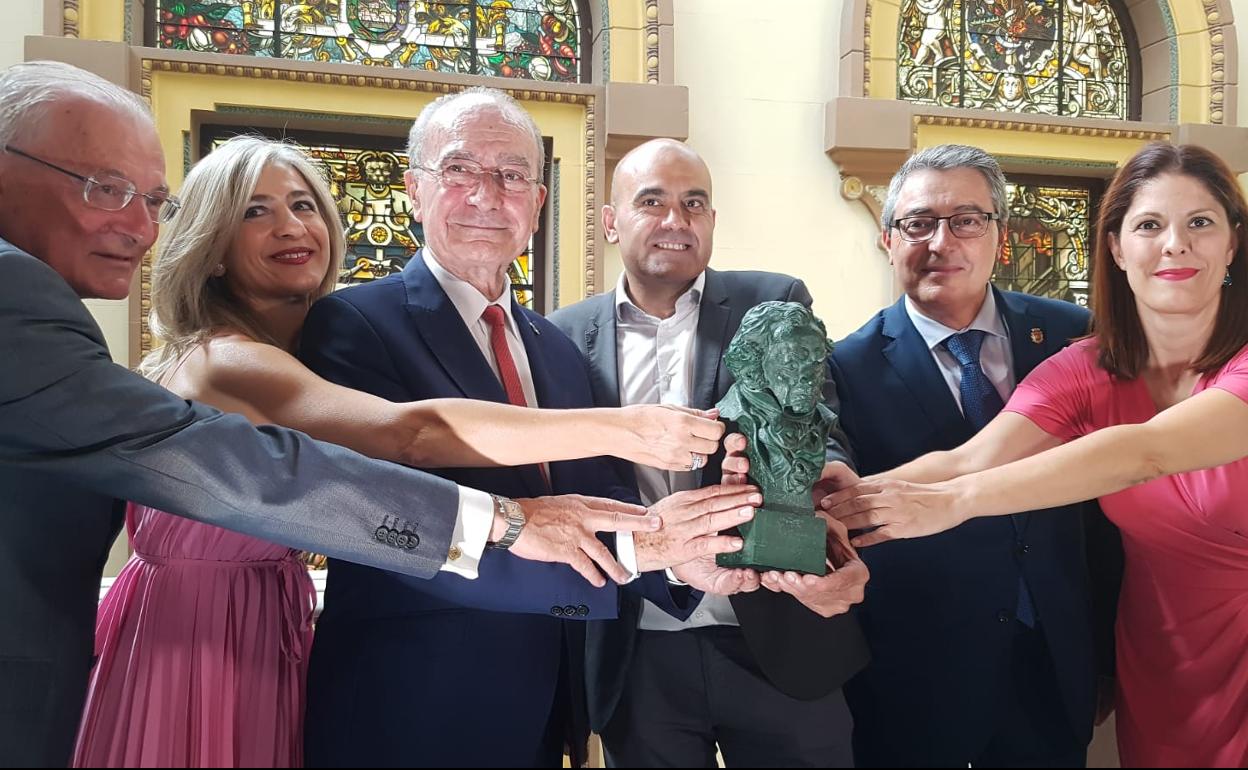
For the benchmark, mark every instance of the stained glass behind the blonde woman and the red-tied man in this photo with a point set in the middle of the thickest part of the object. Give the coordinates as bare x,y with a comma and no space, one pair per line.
366,180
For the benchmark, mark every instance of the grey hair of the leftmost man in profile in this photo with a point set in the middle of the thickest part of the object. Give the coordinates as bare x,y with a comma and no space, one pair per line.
29,90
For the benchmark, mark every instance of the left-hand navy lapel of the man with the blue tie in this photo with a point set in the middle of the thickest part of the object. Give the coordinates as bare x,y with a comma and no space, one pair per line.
913,361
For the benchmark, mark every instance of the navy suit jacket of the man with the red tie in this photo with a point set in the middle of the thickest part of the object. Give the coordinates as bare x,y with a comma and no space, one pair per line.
450,672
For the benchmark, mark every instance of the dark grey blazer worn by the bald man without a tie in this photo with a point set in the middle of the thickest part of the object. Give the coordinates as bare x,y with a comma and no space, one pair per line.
802,655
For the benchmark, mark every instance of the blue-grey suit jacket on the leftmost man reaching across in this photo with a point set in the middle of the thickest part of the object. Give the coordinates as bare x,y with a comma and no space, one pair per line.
79,435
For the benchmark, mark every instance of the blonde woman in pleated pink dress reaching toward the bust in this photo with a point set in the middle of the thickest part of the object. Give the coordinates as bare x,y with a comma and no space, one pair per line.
203,640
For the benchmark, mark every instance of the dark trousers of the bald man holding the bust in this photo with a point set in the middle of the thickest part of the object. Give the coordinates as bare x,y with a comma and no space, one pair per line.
690,691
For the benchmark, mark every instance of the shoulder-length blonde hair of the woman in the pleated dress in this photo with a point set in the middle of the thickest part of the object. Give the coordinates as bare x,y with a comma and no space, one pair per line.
189,303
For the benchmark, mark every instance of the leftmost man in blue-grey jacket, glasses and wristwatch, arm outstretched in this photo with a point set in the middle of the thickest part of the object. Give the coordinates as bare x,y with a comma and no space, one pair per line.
82,192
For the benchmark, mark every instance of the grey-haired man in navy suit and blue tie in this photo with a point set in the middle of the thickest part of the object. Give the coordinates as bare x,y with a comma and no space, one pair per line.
983,637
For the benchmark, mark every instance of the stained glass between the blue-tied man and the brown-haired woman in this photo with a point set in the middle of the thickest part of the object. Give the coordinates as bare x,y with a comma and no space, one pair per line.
1048,246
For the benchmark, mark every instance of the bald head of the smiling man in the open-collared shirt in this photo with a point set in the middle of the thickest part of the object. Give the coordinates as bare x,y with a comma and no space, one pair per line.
662,218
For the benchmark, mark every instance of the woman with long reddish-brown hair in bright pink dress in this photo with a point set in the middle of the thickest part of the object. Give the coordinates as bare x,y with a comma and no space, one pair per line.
1150,416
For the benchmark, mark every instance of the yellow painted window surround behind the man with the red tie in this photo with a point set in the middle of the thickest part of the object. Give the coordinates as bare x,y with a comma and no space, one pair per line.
175,95
